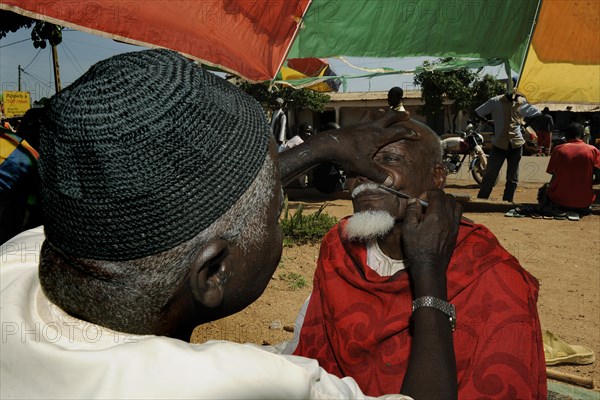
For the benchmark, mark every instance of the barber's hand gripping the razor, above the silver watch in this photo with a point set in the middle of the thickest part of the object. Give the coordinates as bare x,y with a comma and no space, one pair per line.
429,239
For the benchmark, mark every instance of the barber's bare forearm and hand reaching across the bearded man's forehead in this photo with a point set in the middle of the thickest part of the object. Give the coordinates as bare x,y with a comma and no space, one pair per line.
351,147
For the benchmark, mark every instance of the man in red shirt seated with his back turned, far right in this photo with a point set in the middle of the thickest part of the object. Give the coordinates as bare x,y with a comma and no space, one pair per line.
573,166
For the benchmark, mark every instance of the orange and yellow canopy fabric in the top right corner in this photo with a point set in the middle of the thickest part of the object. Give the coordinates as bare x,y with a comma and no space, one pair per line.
562,65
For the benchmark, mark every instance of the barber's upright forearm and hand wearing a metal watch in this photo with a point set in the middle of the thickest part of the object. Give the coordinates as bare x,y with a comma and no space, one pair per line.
429,238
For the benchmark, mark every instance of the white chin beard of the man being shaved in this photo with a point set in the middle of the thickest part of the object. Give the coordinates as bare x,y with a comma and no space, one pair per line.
367,225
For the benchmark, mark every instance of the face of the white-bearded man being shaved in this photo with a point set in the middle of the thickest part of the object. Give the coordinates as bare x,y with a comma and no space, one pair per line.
408,161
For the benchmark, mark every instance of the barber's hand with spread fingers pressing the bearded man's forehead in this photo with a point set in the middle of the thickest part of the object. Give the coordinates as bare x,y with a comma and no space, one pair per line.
353,147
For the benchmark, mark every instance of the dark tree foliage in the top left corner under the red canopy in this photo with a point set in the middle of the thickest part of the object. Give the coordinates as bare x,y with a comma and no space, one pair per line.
41,33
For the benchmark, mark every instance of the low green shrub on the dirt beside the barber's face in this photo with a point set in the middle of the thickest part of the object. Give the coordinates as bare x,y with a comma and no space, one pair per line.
299,229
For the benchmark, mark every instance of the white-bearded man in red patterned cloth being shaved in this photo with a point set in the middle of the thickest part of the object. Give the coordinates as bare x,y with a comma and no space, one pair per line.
358,319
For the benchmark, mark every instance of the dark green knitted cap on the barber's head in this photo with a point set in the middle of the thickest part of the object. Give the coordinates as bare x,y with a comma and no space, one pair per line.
142,153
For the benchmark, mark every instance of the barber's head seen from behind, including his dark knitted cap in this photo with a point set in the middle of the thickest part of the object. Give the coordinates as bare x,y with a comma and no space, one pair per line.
160,192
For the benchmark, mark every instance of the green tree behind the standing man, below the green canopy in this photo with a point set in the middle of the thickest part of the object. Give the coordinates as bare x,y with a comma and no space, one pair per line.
465,88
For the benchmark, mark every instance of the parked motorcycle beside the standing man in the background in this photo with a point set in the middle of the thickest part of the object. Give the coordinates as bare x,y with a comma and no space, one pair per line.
457,148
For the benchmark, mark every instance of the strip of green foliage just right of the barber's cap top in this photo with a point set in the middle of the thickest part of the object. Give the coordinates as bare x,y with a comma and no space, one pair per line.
294,99
